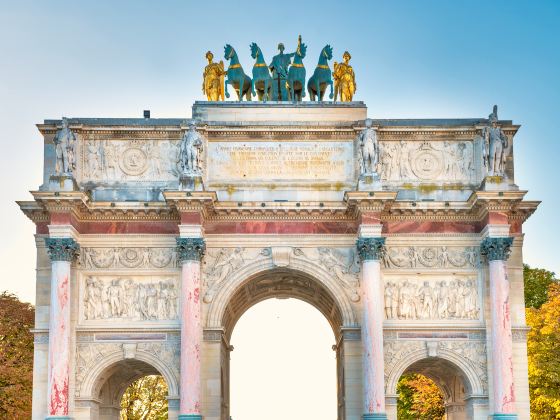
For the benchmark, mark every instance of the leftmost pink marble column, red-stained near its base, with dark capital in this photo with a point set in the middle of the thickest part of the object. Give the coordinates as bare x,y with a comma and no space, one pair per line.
62,251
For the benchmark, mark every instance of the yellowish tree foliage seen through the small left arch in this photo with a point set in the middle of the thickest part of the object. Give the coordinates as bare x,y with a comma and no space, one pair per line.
145,399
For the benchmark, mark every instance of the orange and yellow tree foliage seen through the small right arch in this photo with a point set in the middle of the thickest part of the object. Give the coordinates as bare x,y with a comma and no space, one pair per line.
419,398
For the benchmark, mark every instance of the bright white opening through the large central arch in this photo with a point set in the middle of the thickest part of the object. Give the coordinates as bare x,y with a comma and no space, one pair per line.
283,365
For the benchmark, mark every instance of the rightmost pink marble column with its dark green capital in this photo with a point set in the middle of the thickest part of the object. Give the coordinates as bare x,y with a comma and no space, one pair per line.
497,251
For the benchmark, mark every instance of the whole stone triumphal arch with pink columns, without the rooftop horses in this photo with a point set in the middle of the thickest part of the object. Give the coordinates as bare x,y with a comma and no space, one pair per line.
155,235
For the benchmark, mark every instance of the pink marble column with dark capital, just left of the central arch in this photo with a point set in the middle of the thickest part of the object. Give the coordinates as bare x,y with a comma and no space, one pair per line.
190,252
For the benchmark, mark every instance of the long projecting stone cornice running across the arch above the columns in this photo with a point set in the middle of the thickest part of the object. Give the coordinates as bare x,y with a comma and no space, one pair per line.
206,204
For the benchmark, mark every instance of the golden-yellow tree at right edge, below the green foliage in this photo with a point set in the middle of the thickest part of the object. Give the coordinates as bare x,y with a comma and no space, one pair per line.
543,350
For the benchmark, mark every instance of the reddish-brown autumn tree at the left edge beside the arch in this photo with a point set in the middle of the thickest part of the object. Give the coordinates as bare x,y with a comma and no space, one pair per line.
16,357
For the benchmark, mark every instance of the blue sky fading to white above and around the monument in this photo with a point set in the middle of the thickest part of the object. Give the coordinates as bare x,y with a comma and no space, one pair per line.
412,59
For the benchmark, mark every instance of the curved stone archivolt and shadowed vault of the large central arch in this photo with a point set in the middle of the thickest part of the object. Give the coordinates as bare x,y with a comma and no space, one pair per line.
301,279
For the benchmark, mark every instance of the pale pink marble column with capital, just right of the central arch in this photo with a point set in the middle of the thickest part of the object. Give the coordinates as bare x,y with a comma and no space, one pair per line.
370,250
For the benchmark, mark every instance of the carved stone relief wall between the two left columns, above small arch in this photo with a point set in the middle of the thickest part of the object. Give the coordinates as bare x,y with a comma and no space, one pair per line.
128,283
